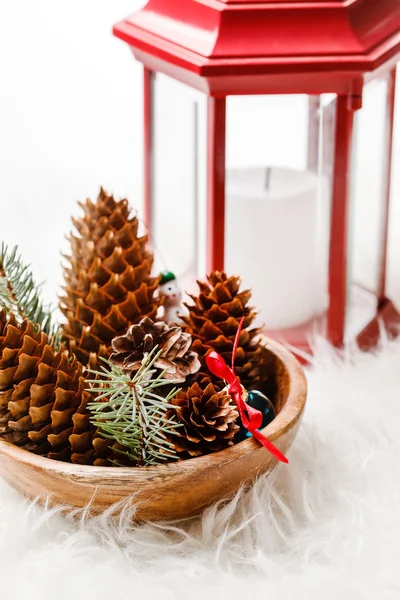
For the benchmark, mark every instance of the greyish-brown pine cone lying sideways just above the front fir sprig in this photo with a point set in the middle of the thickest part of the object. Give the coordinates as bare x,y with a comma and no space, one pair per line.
130,349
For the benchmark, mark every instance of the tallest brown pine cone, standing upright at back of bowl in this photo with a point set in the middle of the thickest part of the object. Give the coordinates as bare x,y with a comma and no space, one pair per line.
108,284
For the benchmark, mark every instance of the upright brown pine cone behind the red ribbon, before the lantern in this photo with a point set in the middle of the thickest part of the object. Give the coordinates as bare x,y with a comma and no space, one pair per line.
213,322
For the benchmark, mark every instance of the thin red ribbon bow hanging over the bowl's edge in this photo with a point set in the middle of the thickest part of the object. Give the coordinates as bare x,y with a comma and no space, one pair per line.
251,417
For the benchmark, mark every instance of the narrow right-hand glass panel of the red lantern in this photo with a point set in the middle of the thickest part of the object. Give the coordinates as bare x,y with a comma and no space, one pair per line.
367,205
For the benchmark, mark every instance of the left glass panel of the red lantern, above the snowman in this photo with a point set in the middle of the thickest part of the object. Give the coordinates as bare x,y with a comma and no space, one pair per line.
178,204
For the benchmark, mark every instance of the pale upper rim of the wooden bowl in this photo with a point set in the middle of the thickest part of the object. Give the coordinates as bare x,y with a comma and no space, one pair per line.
290,413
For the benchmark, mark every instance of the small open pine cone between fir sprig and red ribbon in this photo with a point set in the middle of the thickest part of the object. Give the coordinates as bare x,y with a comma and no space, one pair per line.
208,420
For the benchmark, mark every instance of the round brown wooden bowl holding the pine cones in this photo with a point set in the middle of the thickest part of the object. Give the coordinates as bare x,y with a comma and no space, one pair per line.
176,490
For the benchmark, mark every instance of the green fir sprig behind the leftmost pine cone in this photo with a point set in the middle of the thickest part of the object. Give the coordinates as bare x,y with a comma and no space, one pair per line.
20,294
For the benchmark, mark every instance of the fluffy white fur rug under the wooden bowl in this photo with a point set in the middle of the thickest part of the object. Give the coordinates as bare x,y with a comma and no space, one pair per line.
325,527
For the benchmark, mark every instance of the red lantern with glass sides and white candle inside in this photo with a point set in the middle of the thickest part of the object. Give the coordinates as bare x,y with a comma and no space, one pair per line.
268,140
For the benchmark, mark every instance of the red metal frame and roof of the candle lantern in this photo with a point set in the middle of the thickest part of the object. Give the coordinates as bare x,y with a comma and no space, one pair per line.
231,47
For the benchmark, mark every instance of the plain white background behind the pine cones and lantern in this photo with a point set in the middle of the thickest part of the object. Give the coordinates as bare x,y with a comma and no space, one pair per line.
70,121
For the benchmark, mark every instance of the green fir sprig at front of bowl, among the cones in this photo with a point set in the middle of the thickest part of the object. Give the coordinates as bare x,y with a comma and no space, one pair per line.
132,412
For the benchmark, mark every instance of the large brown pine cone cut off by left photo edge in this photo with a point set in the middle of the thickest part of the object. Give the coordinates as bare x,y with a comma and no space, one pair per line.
40,390
